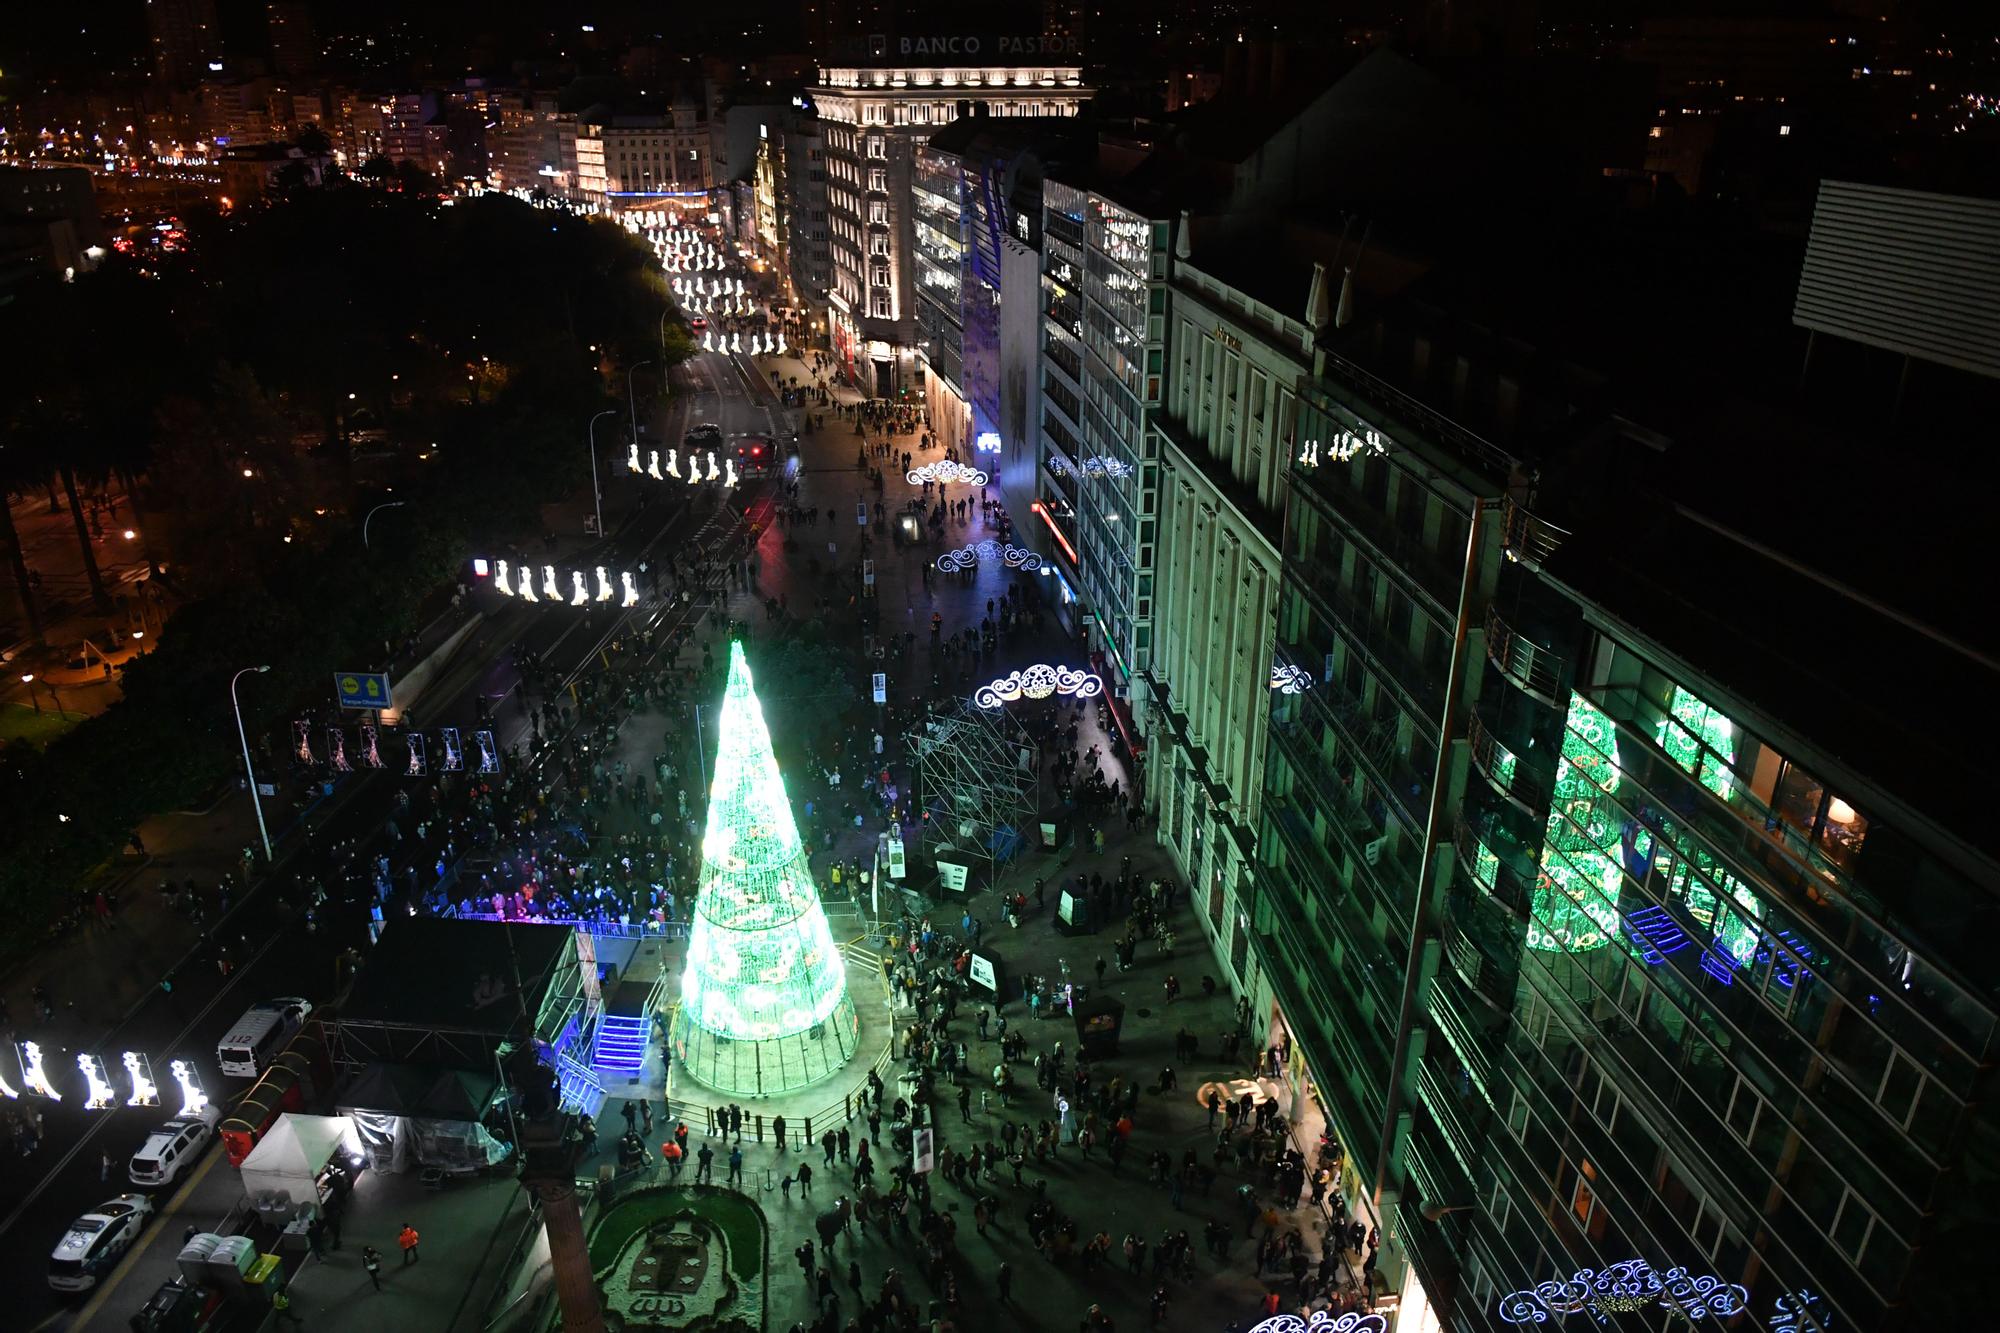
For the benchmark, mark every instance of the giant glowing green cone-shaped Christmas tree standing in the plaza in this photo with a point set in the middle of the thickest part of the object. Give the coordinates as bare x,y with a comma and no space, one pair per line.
765,996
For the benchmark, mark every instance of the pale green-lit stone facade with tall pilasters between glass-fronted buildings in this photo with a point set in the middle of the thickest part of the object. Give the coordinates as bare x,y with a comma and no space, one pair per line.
1227,433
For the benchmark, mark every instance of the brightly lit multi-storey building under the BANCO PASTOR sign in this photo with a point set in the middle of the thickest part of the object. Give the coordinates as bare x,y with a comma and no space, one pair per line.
873,117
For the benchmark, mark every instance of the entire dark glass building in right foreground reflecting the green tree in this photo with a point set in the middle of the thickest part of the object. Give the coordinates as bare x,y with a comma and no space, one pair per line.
1611,938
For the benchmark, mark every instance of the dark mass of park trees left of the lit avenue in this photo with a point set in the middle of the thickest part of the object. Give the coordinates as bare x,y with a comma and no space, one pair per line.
481,329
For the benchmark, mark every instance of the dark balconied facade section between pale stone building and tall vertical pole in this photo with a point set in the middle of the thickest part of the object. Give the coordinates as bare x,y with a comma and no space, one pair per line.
1377,577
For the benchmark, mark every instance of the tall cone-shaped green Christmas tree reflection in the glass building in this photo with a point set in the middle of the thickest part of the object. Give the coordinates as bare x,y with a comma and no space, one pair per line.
1577,894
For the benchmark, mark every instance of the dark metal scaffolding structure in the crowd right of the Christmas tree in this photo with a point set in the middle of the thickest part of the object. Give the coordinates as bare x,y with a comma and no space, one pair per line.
979,786
